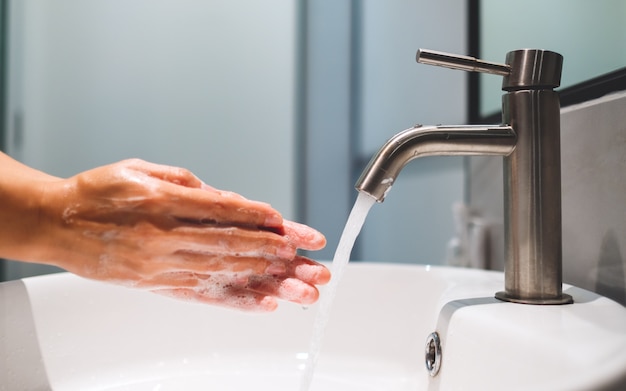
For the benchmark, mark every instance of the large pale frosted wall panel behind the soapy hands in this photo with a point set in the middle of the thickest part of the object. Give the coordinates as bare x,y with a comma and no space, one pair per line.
207,85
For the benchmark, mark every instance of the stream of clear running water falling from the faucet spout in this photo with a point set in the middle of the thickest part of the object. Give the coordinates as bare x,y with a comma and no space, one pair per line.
342,256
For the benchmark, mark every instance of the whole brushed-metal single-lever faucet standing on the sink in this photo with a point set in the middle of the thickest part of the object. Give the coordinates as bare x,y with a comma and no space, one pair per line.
529,141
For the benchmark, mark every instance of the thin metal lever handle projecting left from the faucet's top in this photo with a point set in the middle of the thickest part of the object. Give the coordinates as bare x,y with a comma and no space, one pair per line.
464,63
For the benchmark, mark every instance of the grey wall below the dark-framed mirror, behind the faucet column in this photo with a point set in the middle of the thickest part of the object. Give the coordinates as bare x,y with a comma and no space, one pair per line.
593,156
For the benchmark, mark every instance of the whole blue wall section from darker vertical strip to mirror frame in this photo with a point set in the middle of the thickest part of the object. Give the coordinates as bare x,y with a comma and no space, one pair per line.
361,86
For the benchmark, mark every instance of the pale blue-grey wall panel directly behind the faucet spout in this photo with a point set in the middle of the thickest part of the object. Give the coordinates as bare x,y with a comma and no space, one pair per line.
415,222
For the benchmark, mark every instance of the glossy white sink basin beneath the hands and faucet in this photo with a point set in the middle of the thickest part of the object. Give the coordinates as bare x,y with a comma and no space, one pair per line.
61,332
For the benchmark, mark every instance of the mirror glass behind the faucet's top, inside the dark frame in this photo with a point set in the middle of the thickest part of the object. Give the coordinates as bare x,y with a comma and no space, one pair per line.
589,34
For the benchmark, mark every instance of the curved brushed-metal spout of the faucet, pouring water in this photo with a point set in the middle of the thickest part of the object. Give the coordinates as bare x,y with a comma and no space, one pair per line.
420,141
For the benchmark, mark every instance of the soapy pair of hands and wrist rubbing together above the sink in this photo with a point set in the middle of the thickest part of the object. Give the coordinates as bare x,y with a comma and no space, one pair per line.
158,228
